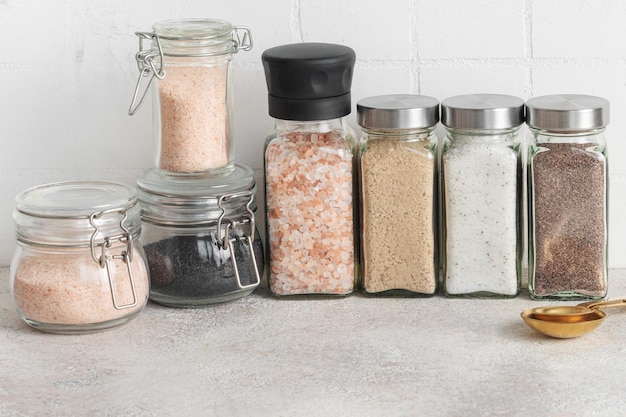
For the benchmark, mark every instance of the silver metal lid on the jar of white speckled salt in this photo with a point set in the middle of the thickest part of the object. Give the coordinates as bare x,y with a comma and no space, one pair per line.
482,111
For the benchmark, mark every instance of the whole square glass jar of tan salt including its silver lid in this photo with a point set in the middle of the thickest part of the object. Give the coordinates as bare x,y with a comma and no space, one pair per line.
398,179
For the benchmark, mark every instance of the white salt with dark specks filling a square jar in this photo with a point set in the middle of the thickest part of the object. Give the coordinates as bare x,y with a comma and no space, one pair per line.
481,183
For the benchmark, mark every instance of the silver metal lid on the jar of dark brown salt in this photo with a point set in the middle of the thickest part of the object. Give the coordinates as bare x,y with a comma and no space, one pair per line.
567,112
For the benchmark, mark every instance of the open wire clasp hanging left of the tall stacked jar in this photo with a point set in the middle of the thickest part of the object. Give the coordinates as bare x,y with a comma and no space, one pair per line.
146,62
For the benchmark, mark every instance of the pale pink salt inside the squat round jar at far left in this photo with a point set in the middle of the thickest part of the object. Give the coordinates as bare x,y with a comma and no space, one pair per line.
73,289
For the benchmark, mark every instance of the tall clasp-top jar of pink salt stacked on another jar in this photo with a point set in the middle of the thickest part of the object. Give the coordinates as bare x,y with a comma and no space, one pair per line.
192,97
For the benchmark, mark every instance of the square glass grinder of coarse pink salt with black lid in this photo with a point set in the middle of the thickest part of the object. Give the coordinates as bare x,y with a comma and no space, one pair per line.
309,170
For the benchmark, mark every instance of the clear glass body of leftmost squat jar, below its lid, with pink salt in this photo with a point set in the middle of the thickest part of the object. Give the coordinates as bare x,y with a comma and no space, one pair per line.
62,290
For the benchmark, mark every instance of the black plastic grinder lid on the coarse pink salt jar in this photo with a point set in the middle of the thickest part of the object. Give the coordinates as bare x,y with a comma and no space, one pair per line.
309,81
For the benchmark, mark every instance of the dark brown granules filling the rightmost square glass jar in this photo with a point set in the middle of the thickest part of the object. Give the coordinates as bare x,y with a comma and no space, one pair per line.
569,196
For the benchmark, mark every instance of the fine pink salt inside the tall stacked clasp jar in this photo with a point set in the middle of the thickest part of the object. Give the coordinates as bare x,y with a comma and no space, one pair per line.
194,118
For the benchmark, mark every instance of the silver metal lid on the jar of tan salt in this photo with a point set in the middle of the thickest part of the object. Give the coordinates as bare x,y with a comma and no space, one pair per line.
398,111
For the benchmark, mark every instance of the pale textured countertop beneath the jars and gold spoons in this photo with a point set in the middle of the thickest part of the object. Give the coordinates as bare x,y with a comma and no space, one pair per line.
354,356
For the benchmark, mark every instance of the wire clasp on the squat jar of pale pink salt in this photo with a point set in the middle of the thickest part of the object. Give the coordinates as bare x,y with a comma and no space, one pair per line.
104,258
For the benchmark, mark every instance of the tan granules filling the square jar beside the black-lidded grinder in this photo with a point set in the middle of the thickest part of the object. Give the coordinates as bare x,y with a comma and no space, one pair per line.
398,204
